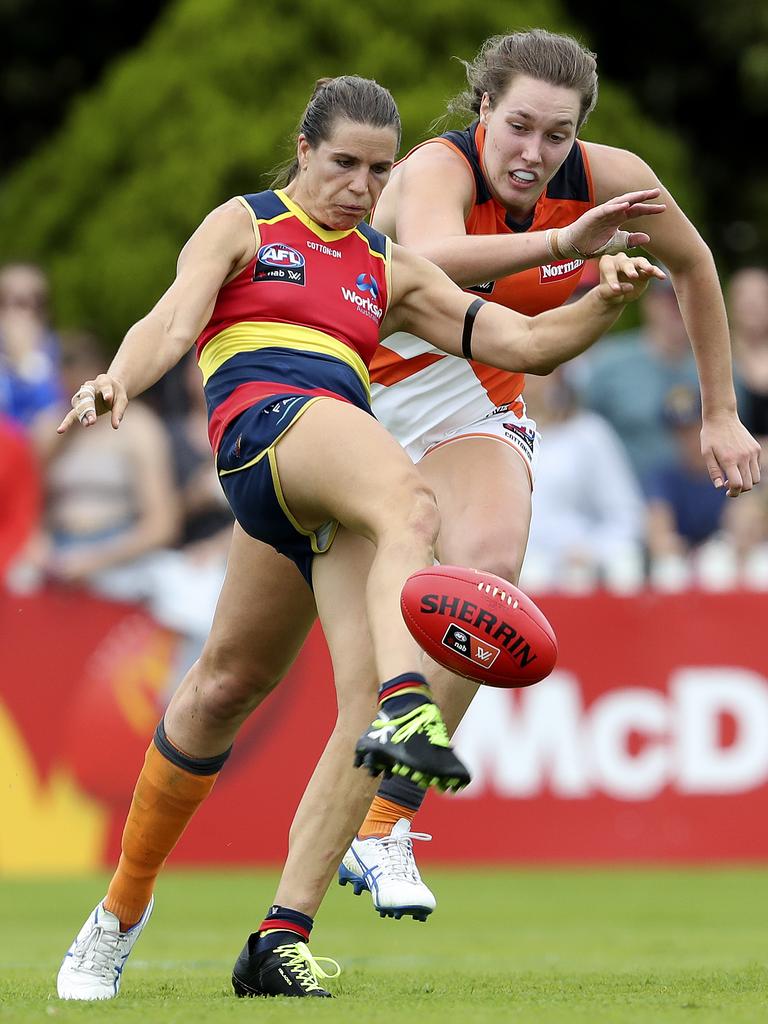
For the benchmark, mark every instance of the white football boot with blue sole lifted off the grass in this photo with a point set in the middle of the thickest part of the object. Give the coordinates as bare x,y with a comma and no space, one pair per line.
386,867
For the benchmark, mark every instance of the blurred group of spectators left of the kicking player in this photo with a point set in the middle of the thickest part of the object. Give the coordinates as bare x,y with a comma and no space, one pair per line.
134,516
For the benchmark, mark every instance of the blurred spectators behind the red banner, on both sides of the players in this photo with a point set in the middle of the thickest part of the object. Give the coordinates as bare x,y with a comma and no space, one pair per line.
623,498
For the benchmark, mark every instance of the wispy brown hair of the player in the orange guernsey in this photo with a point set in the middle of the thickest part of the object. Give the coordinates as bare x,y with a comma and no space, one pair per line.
538,54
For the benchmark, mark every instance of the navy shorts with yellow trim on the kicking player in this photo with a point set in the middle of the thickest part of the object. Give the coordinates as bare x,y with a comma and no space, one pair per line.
248,473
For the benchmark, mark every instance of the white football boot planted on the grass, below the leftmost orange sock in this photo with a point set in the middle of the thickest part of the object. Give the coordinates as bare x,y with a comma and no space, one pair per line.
94,966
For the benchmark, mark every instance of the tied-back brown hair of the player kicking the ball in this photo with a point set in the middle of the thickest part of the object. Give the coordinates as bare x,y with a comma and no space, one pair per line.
359,100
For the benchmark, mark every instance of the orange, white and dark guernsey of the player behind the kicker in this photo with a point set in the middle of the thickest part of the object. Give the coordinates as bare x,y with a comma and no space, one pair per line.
422,395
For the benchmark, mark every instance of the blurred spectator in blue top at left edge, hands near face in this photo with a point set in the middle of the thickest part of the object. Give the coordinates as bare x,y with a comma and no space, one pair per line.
30,389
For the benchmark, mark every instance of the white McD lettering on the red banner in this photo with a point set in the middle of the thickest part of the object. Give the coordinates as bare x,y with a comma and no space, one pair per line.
525,743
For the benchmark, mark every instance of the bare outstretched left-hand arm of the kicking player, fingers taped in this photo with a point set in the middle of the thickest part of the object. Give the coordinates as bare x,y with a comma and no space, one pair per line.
220,248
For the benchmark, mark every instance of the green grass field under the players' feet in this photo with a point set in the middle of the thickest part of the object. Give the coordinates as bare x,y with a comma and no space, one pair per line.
504,946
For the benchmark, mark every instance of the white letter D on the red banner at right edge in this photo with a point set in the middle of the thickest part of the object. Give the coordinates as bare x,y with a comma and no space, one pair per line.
702,698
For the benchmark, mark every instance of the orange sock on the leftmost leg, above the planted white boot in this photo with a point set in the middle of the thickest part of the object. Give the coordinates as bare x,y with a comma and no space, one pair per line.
164,801
